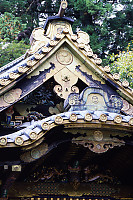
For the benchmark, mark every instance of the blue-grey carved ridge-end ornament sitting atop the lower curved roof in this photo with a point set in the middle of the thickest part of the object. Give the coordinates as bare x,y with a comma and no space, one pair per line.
93,99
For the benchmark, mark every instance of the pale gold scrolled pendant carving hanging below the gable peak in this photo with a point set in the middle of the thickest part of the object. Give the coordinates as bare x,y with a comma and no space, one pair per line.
66,79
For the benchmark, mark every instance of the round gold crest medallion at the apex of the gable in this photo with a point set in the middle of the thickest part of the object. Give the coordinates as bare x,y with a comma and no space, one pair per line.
64,57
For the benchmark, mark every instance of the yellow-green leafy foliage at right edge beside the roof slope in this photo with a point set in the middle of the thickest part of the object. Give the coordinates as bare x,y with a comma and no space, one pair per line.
122,63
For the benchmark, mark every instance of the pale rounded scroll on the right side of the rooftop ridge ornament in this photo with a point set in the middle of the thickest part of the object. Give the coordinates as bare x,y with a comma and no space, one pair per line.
83,37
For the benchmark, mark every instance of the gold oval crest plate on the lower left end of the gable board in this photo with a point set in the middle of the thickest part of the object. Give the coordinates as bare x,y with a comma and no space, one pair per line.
10,97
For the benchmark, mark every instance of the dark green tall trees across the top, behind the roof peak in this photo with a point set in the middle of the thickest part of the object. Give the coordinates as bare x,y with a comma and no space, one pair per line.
110,28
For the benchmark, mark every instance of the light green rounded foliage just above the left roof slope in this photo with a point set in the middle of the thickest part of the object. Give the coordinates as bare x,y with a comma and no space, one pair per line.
12,51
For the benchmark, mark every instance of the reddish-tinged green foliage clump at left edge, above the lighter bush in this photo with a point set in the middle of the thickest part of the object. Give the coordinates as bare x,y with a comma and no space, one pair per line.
10,26
